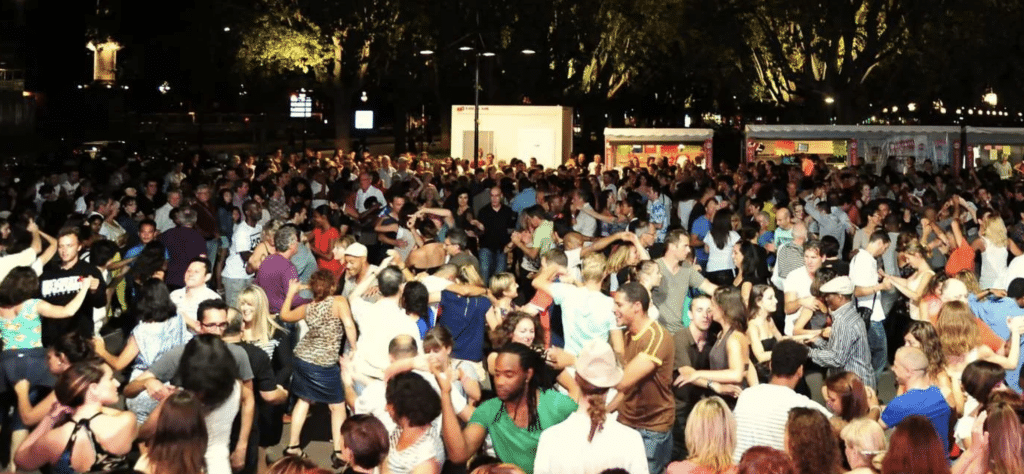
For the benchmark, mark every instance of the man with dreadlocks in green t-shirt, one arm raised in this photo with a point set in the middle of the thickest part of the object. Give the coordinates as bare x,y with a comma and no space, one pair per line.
515,420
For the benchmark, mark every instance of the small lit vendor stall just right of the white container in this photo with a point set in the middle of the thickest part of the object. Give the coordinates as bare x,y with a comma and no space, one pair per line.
623,146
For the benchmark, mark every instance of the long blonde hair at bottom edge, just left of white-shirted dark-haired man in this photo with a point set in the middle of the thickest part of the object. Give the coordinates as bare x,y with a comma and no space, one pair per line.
711,435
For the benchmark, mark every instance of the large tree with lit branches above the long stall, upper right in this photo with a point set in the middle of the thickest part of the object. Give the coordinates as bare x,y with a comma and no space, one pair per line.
805,51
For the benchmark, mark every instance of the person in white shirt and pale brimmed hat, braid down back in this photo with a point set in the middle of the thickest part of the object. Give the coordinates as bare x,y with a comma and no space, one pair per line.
589,441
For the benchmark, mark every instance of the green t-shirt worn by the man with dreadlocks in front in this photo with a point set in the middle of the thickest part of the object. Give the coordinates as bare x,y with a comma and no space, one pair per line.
519,446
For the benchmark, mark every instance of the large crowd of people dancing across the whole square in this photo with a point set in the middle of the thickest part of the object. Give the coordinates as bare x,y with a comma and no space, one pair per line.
504,318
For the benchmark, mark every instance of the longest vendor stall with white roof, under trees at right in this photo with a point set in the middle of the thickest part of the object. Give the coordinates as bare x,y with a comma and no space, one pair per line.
842,146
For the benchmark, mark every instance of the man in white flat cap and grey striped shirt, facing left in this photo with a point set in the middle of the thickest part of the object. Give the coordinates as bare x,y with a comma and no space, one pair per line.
845,344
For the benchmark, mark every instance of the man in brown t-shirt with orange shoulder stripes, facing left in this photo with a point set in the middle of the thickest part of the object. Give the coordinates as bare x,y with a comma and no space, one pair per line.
646,401
